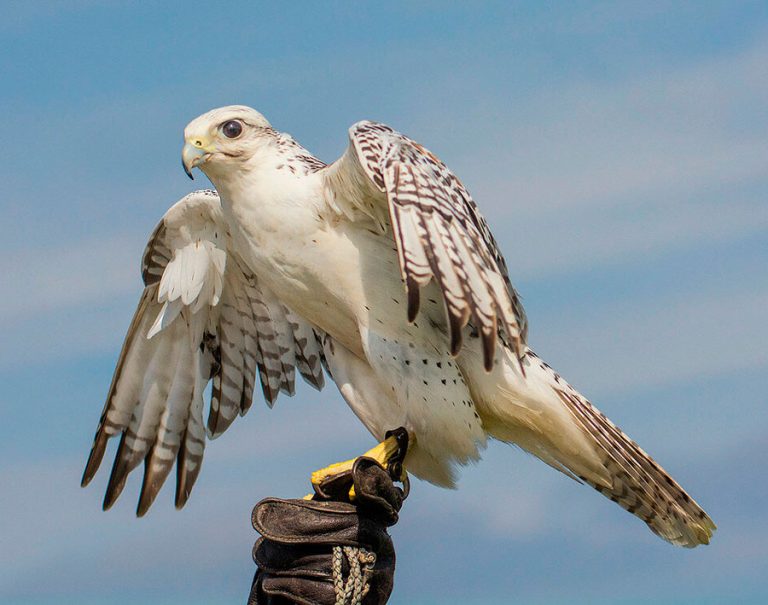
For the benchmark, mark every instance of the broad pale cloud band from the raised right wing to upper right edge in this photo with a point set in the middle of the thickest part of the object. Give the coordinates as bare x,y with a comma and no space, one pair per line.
604,171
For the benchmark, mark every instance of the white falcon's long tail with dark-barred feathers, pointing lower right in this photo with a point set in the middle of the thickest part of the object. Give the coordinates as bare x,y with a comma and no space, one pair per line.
549,418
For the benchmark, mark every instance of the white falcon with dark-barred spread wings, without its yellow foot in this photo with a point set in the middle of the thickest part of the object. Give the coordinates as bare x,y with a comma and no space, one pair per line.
377,269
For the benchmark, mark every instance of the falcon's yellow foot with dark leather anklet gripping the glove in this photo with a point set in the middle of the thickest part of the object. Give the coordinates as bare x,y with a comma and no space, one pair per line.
390,454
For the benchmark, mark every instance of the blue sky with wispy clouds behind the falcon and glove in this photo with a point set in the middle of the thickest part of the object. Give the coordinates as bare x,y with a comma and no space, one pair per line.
620,154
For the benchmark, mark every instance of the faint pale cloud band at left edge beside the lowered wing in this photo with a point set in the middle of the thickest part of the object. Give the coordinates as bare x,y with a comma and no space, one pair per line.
72,299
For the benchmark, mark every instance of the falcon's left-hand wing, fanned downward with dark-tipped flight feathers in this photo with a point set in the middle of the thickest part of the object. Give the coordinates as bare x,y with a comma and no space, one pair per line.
202,317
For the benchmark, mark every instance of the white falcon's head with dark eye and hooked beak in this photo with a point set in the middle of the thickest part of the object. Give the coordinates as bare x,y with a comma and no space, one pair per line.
223,137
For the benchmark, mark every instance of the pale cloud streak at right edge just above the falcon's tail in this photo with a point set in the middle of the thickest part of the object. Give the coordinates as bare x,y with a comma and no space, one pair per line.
669,340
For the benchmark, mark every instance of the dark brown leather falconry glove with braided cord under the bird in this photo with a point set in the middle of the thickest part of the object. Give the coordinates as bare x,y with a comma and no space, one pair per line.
314,552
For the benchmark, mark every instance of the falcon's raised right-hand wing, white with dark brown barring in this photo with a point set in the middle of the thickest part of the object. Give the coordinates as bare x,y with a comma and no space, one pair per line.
440,233
